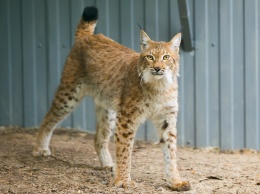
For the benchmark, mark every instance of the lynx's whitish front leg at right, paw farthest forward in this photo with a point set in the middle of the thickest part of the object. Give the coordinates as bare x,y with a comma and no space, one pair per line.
168,142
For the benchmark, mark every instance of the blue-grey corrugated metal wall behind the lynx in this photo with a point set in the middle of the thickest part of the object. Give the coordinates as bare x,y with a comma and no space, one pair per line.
219,82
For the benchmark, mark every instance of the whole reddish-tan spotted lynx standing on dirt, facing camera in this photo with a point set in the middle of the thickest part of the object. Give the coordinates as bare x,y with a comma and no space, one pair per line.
128,88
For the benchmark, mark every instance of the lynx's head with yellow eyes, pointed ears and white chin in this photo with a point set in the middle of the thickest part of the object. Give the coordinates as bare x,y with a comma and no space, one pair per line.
159,61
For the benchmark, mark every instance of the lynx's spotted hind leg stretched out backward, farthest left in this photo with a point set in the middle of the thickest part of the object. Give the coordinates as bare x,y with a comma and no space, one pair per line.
66,98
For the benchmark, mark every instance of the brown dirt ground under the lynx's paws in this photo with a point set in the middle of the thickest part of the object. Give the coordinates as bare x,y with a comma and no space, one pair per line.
74,167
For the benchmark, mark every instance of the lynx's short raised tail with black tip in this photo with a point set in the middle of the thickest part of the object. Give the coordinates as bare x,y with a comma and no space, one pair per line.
87,23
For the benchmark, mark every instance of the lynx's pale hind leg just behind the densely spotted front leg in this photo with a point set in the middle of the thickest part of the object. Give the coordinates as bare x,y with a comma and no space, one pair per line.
106,120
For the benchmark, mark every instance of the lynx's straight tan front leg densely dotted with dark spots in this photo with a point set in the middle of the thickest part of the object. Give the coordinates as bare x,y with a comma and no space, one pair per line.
124,137
